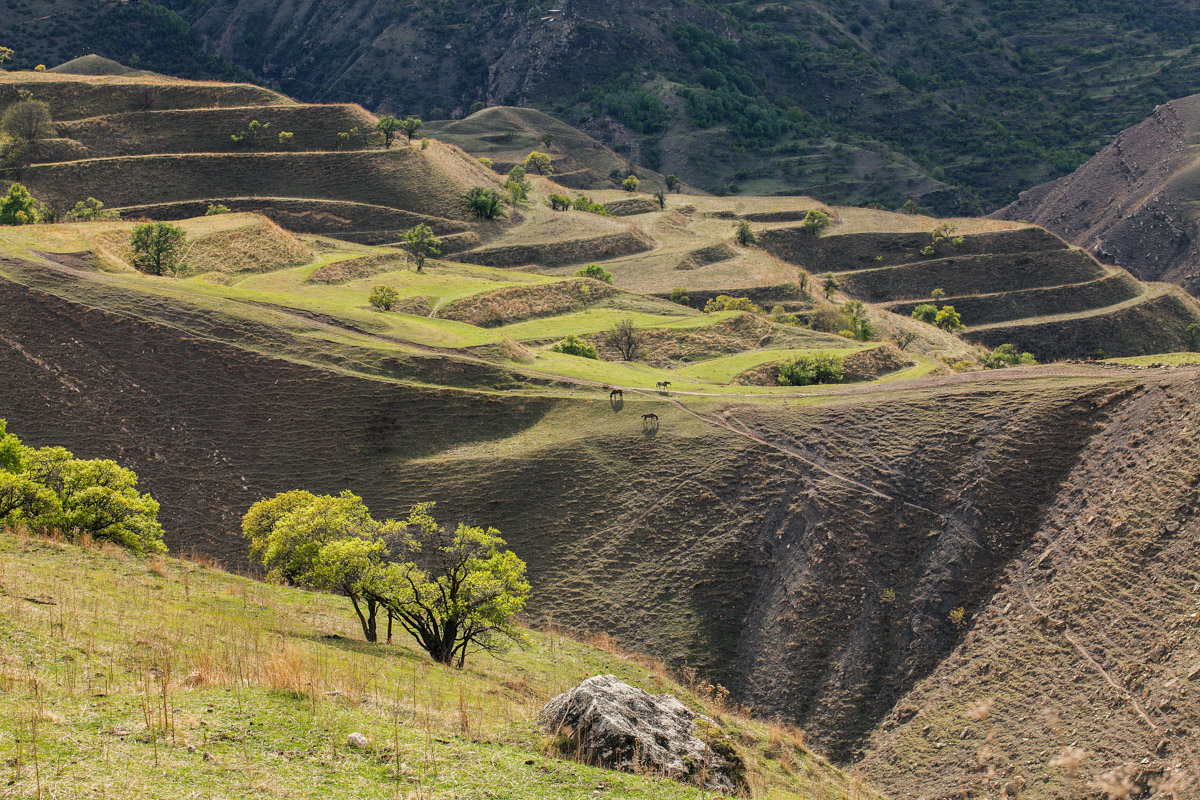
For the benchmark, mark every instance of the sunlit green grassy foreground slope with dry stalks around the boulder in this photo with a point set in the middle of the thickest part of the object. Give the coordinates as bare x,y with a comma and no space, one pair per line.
131,679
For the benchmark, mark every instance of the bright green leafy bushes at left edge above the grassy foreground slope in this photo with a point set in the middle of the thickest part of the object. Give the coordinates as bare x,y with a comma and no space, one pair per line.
52,489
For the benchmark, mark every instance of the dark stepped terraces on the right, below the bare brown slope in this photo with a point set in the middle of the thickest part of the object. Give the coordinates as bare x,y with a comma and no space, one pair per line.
1018,286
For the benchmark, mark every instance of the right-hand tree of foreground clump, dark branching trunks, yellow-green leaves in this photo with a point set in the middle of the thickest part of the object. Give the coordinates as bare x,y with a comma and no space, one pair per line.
457,592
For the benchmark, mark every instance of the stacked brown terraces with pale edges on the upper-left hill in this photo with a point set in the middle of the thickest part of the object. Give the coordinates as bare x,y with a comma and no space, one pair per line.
149,146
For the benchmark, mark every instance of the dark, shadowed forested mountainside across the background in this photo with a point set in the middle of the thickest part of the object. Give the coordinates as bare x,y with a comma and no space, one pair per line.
951,105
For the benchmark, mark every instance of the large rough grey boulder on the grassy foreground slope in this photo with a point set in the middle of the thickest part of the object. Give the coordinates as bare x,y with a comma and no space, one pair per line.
608,723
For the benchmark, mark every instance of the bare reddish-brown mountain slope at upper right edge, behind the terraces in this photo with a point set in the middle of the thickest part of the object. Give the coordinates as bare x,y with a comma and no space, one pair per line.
1133,204
